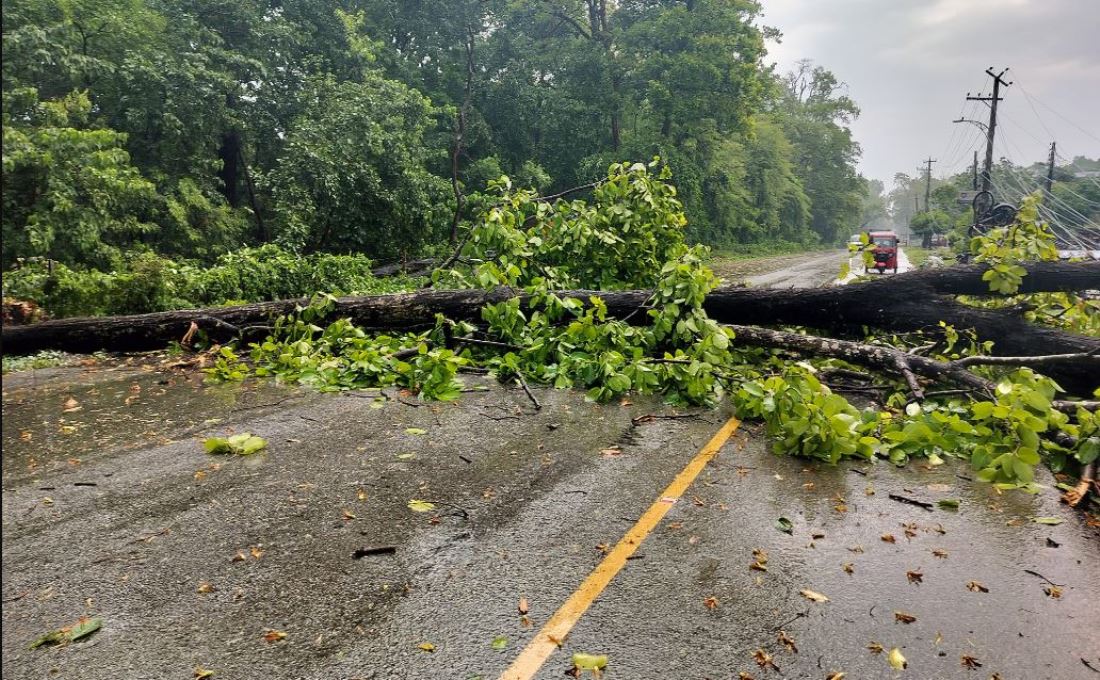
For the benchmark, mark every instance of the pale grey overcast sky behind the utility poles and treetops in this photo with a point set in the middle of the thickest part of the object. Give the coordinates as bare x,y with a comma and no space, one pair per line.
909,65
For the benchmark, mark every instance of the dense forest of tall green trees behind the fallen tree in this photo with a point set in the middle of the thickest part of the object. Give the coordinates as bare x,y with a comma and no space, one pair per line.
192,129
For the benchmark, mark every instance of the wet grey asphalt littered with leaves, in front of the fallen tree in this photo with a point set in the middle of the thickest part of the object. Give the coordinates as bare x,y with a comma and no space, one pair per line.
525,502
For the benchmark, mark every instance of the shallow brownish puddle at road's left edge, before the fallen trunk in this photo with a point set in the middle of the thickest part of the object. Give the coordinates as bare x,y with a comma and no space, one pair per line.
65,416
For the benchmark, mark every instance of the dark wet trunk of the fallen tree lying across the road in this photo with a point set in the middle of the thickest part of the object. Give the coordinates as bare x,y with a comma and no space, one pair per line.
903,303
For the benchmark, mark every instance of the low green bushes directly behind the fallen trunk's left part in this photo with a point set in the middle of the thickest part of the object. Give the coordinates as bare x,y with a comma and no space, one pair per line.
147,282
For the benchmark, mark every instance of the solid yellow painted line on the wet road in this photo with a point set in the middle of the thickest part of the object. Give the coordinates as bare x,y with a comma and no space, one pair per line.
554,633
